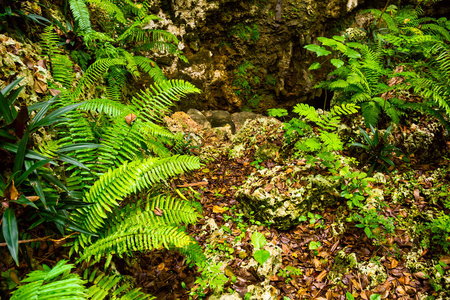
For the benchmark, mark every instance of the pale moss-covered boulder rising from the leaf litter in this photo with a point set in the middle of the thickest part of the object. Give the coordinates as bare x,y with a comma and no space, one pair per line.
284,193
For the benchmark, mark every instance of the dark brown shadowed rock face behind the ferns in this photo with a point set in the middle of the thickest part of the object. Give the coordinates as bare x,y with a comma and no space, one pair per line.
249,53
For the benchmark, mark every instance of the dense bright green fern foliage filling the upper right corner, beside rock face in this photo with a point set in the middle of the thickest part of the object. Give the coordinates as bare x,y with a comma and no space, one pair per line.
411,54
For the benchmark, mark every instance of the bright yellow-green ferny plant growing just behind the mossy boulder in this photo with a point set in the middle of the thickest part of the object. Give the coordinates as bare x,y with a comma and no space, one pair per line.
318,146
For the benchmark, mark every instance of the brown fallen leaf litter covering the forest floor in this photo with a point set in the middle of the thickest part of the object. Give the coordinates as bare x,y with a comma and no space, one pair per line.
165,274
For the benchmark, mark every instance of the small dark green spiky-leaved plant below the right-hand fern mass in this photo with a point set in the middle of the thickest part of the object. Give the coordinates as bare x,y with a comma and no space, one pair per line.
379,149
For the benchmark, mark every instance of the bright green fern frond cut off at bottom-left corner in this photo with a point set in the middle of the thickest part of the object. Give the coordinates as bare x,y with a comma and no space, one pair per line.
55,283
